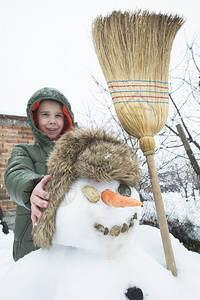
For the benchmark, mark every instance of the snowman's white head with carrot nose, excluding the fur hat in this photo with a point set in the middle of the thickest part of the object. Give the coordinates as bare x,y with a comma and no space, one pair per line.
97,216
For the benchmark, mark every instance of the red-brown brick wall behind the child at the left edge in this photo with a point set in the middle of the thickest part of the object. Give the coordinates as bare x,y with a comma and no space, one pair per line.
13,130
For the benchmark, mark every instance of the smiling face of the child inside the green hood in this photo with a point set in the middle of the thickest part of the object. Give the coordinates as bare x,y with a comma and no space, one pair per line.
50,118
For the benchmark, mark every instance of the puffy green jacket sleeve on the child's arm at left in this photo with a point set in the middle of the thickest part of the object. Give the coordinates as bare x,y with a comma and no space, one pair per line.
20,177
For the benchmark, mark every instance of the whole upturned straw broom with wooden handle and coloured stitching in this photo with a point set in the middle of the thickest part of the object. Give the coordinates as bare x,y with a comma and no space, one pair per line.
133,50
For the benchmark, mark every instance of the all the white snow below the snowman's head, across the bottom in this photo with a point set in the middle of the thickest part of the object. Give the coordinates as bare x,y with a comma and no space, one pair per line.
66,273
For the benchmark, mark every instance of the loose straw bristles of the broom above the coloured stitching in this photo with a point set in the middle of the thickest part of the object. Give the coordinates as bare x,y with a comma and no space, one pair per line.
135,45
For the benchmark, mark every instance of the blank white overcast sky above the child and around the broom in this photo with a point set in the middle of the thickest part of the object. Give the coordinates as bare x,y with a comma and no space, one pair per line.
48,43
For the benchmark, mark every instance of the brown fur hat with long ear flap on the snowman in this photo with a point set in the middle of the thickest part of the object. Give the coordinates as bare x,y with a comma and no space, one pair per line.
86,153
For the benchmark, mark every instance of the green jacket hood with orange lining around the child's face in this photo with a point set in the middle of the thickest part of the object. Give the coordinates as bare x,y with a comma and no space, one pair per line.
48,94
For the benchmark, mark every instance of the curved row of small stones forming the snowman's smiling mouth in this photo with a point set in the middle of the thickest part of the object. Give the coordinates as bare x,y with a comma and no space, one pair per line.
116,230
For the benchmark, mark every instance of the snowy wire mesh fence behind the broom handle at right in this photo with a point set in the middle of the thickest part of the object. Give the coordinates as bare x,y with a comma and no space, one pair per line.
183,216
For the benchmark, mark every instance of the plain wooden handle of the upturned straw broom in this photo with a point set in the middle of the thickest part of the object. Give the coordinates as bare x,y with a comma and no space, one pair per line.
169,256
